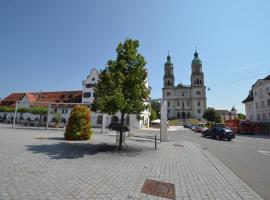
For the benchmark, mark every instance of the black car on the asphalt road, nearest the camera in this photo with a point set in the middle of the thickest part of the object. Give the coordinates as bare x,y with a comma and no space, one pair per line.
219,133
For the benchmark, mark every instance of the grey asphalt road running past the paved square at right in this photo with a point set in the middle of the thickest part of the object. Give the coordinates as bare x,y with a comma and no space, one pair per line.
246,156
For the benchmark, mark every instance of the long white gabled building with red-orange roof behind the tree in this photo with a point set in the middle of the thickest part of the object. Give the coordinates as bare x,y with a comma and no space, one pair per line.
59,104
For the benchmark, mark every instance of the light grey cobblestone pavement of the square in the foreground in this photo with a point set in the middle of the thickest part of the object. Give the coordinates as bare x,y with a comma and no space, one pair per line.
38,164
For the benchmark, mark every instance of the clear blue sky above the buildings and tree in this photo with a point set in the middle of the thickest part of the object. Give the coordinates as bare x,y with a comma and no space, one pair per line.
52,45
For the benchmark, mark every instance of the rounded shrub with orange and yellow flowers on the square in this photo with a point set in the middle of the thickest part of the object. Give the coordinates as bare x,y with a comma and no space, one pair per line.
79,126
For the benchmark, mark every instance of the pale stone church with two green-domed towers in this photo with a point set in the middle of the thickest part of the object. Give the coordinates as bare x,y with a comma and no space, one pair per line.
185,101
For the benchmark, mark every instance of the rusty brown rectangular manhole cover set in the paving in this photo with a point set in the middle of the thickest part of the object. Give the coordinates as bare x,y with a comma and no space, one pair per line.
158,188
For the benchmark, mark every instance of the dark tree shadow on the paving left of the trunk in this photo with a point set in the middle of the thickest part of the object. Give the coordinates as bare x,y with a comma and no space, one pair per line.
65,150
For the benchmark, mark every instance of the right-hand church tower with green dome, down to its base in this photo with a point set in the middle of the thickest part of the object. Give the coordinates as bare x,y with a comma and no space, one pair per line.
198,90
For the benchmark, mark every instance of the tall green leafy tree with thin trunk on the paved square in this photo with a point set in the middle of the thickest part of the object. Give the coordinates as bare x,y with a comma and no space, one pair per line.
122,84
